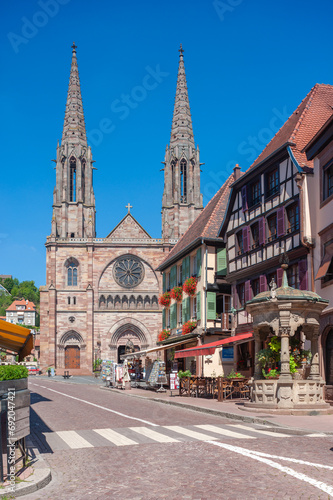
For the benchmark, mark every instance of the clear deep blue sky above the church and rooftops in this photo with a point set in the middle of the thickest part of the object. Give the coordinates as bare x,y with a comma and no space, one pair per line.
248,65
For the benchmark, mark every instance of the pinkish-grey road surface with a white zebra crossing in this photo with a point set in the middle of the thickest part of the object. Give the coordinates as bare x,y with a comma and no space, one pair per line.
105,445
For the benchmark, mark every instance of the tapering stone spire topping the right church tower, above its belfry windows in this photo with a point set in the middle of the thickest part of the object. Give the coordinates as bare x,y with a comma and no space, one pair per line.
181,131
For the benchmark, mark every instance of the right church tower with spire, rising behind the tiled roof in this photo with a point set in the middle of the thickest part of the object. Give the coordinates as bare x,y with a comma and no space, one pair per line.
182,200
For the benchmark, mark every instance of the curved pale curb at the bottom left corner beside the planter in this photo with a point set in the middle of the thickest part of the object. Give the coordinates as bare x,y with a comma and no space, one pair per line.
40,477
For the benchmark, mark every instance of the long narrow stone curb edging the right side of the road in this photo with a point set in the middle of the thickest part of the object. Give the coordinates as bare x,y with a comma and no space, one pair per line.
274,426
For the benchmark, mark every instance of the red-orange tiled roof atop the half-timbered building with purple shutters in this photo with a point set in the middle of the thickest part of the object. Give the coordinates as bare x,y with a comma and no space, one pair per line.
302,125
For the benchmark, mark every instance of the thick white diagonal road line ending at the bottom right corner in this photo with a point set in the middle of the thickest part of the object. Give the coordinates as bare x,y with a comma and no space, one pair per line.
302,477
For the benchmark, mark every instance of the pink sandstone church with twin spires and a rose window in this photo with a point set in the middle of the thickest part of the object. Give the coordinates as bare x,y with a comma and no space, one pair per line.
101,293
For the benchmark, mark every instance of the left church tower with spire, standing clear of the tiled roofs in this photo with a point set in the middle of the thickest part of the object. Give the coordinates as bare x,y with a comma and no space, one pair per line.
73,196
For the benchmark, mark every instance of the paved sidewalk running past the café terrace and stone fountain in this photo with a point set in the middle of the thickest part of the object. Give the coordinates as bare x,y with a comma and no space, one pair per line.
234,409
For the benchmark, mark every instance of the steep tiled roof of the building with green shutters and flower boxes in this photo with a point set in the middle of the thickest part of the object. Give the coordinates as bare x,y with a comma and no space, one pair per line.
207,224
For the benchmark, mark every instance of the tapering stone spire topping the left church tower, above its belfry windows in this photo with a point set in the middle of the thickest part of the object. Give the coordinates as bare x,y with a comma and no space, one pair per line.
74,131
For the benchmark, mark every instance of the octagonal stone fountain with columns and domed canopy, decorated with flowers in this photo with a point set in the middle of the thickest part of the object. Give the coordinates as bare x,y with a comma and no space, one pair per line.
284,312
